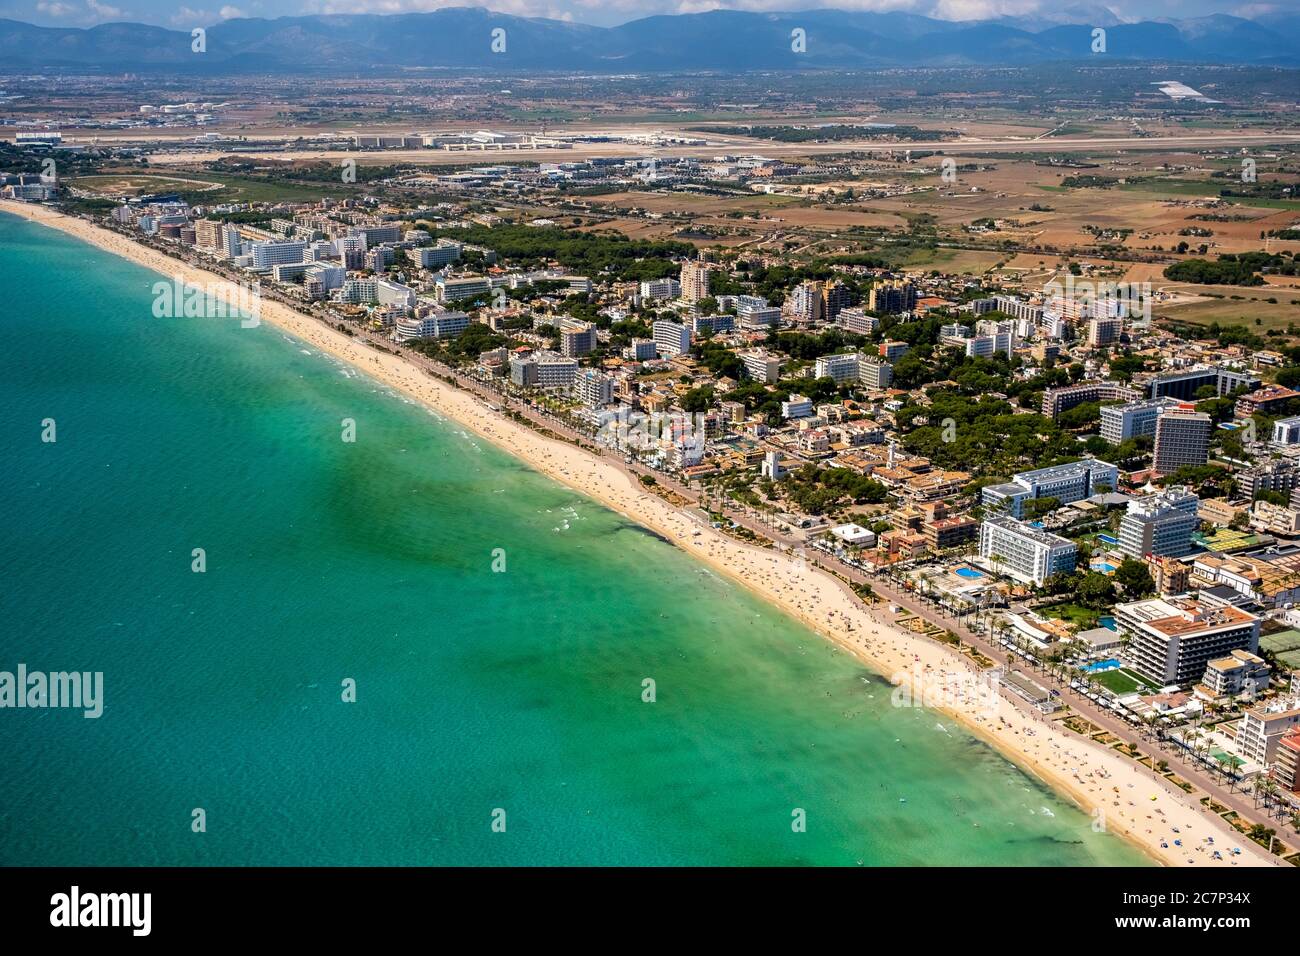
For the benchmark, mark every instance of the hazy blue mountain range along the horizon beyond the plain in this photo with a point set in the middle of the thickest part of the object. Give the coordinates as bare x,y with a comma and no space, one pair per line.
716,41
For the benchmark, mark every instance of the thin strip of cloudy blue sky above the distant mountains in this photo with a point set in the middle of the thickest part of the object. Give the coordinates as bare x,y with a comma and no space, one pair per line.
179,14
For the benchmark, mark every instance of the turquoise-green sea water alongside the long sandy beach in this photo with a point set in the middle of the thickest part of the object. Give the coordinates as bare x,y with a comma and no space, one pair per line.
476,691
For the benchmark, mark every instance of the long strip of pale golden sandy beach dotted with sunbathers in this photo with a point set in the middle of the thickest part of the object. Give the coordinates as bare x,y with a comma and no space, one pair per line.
1119,795
